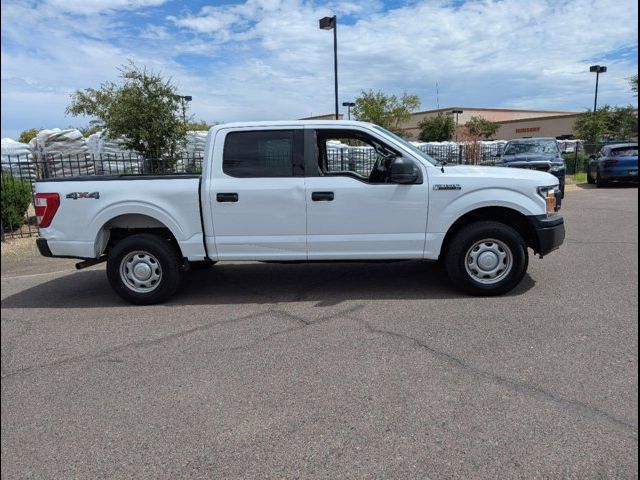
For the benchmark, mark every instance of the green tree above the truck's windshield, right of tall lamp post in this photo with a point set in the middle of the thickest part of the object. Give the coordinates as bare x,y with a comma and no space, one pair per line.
387,111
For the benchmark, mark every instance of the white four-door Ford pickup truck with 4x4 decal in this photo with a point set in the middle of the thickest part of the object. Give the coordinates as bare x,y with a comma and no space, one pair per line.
302,191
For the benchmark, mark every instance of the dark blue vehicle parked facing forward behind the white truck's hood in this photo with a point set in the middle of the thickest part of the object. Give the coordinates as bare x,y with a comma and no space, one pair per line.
536,154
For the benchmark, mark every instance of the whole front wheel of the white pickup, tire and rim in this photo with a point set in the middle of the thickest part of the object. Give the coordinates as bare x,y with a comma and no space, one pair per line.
486,258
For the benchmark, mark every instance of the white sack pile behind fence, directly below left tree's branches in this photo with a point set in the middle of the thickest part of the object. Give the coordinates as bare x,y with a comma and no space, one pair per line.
111,156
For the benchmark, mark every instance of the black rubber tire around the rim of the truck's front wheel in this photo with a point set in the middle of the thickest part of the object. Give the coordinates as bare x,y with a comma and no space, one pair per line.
466,238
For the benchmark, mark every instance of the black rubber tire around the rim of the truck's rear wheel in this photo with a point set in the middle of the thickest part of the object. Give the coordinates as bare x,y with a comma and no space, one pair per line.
162,252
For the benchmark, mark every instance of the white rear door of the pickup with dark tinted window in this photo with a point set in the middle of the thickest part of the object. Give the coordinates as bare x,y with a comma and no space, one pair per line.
258,194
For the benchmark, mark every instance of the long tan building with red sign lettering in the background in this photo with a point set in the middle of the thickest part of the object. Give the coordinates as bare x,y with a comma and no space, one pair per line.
513,123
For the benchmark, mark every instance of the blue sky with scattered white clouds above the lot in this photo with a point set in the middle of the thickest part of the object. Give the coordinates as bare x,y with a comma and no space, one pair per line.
267,59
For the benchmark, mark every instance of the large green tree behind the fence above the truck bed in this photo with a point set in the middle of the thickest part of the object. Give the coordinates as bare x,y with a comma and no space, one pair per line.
143,108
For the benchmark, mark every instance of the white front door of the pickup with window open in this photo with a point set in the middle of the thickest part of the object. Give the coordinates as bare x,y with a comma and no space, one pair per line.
353,209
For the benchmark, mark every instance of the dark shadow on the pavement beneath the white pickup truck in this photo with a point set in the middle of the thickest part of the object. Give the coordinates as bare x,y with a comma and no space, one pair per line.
325,284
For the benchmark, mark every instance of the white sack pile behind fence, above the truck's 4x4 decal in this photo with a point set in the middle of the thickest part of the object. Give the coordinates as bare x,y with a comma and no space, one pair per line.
63,153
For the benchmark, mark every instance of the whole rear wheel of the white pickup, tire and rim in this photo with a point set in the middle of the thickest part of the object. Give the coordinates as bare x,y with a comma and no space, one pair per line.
144,269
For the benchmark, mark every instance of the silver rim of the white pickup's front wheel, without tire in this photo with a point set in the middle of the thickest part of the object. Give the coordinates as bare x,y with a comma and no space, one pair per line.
489,261
